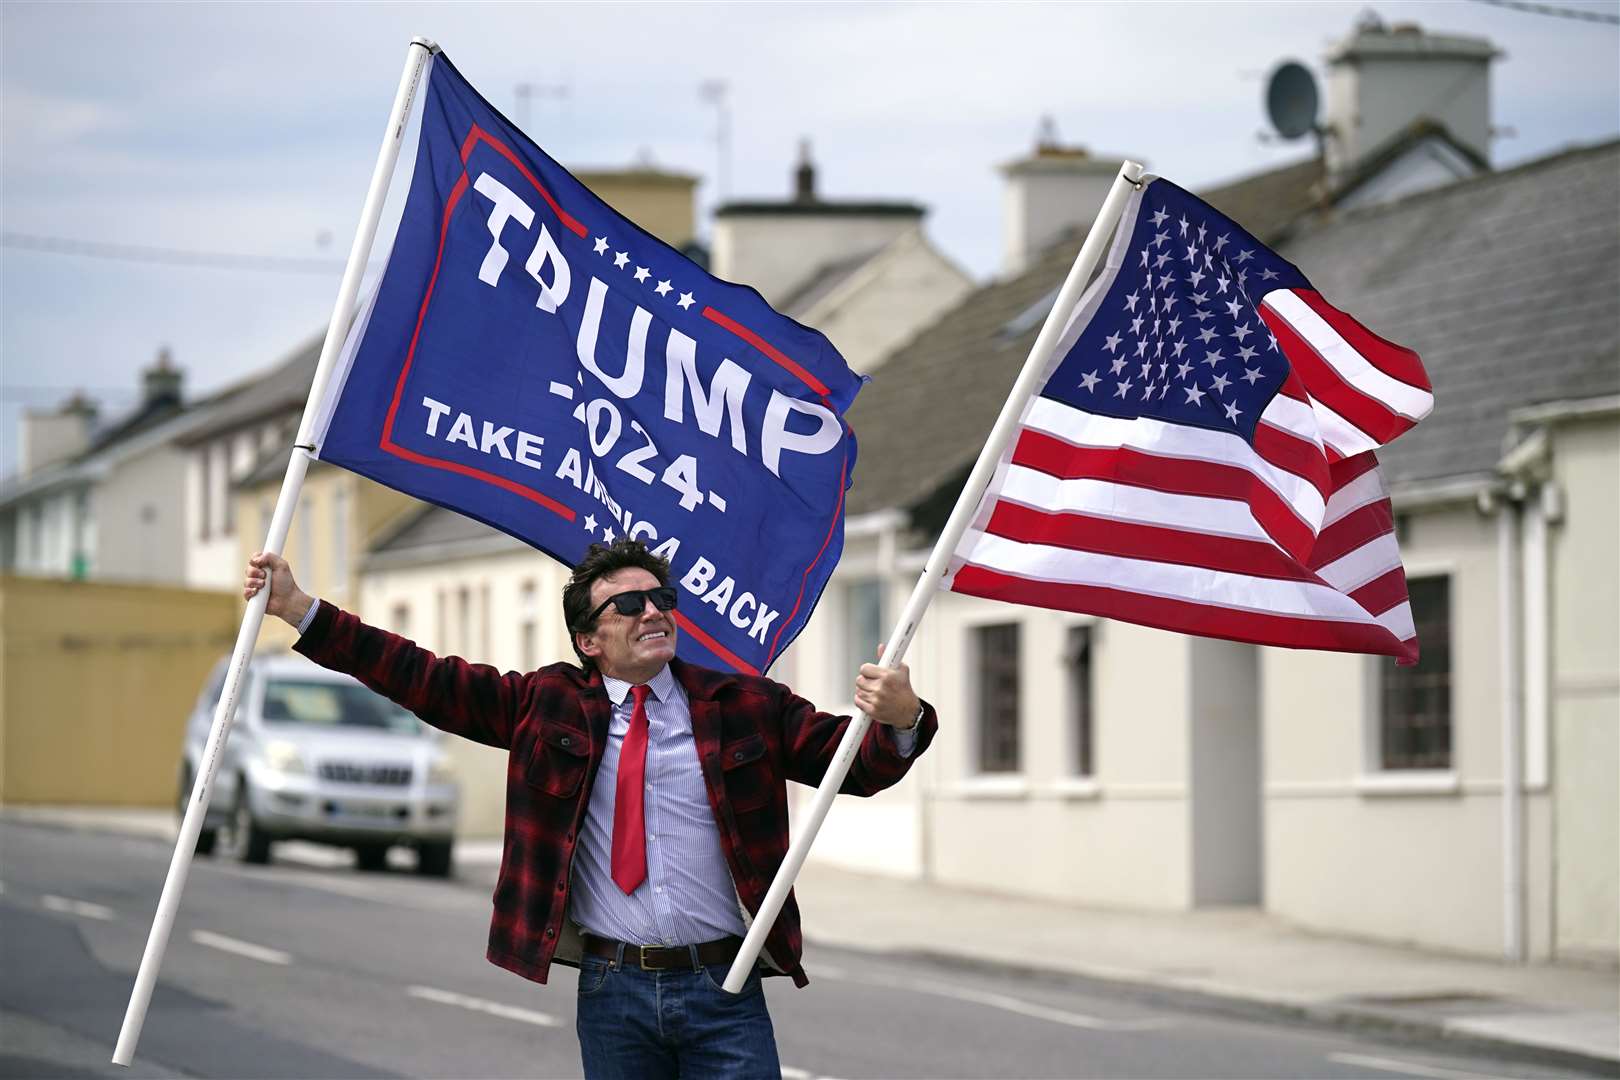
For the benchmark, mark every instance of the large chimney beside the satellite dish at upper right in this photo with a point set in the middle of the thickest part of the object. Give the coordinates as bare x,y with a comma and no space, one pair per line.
1383,80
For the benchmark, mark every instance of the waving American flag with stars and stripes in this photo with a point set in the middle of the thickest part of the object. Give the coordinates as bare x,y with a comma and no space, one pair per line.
1201,453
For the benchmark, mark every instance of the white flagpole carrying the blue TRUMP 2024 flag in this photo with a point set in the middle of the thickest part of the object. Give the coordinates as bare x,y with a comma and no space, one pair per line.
417,56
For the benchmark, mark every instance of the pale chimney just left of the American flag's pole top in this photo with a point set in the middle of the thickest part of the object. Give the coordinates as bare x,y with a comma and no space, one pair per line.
1049,193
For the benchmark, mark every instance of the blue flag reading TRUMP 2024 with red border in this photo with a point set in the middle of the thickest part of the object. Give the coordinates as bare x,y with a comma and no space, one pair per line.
537,362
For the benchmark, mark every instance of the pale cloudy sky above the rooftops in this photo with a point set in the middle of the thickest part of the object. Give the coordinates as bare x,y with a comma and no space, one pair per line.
252,130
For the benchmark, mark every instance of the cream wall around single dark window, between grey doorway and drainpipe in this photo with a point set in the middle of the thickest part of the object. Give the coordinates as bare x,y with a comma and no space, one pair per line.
1388,854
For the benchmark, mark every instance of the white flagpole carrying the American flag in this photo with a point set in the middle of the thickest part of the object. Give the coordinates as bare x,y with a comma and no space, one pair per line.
966,508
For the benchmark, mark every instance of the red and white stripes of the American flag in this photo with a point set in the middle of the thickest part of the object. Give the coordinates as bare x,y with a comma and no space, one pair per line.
1287,542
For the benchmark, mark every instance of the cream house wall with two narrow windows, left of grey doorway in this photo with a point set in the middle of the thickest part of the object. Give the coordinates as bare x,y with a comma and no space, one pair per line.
1122,838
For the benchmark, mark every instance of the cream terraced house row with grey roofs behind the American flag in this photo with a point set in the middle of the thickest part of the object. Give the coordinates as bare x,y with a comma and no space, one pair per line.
1162,772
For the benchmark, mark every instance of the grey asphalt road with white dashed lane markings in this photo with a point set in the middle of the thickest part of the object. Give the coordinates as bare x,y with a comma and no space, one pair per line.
312,969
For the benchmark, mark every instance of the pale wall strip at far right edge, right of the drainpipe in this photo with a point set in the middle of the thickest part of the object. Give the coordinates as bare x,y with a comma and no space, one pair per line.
1585,689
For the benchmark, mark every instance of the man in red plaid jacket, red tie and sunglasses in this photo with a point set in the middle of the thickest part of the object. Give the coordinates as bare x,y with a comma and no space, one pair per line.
647,806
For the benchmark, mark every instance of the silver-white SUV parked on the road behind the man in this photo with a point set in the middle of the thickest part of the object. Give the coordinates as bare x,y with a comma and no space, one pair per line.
315,755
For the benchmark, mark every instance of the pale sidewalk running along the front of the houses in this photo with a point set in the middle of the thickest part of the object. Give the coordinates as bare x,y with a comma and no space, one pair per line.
1240,958
